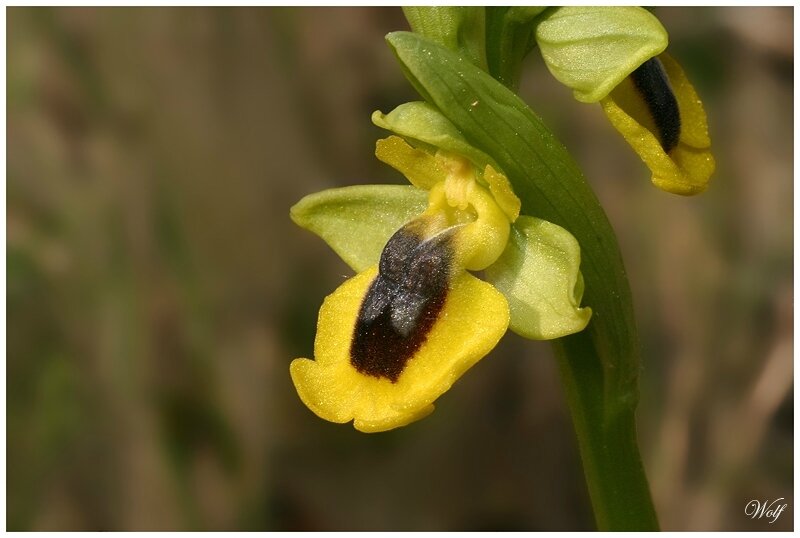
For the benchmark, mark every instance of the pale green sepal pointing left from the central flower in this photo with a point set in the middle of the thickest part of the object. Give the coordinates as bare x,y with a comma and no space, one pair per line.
357,221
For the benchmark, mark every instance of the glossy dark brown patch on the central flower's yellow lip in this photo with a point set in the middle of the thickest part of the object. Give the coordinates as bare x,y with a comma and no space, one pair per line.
402,303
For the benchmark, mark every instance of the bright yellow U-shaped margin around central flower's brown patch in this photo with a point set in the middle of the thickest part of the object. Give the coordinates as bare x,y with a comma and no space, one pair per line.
473,319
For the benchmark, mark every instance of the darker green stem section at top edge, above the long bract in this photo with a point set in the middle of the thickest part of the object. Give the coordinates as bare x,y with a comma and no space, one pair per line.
509,38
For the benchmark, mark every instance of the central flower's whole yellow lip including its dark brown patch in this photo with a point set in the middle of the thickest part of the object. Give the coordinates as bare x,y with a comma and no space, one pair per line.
395,337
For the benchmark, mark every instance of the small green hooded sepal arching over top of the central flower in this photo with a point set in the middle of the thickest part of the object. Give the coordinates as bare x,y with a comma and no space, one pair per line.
424,126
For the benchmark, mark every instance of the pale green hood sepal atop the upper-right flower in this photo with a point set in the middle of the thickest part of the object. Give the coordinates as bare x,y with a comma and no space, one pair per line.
592,49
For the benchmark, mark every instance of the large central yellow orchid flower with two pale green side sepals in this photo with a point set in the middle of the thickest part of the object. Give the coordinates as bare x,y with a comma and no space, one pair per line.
395,337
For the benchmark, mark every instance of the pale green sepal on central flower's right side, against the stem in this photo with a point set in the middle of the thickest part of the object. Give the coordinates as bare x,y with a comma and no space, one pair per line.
539,275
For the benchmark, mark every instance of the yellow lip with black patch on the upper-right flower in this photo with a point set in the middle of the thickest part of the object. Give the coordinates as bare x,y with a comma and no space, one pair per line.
659,114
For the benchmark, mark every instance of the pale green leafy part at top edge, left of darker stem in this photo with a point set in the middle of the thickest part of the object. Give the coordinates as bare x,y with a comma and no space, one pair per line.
460,29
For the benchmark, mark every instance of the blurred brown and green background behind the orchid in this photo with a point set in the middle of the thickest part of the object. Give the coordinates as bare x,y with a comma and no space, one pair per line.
157,290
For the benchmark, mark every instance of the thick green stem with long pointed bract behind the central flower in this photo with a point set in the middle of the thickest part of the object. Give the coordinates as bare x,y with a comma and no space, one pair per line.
599,366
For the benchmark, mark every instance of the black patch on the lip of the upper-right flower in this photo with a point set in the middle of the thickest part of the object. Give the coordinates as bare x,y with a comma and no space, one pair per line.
652,83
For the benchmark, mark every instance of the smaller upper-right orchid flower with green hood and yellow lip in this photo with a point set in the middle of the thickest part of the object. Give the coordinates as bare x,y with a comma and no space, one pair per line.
614,55
